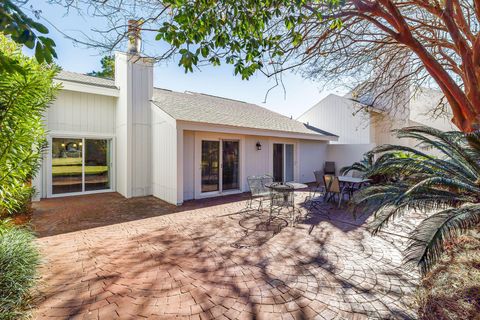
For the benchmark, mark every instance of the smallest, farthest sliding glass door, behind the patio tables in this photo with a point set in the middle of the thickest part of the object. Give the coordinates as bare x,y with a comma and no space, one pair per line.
283,162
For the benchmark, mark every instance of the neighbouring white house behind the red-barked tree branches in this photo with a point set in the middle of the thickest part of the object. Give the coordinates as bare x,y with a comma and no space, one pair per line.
361,128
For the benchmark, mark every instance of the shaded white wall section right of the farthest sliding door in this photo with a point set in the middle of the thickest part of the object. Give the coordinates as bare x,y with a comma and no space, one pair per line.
312,156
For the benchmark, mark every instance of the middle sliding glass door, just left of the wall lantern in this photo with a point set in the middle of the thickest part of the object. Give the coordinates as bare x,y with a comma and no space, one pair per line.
220,165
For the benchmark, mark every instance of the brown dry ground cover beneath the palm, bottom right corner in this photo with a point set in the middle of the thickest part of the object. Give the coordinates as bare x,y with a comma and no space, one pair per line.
452,289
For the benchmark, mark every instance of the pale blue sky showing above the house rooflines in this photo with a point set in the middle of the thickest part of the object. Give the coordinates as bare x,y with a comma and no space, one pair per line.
301,93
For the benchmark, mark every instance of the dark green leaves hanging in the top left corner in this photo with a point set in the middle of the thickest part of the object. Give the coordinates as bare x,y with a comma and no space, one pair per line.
23,30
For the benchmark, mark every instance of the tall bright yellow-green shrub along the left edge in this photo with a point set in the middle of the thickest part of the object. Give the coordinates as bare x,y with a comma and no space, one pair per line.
24,96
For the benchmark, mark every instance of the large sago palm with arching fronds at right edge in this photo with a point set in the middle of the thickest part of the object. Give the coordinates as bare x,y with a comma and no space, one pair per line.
446,186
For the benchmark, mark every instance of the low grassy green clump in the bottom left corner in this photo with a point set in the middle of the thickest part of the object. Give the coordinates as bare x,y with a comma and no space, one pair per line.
19,259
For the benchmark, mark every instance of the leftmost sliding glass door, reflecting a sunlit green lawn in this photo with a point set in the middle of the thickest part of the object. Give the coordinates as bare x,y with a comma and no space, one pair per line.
80,165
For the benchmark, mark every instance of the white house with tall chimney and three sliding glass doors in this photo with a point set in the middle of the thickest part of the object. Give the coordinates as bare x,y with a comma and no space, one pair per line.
126,136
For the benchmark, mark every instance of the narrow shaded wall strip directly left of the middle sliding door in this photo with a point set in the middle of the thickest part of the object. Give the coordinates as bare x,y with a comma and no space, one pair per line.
188,165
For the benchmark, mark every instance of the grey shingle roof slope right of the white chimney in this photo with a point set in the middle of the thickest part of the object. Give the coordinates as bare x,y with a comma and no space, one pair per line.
197,107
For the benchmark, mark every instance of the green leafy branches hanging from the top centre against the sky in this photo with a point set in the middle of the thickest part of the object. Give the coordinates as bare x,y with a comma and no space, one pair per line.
242,33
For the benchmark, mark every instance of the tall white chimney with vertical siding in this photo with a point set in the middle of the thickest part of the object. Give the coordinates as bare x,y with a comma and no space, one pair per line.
134,78
